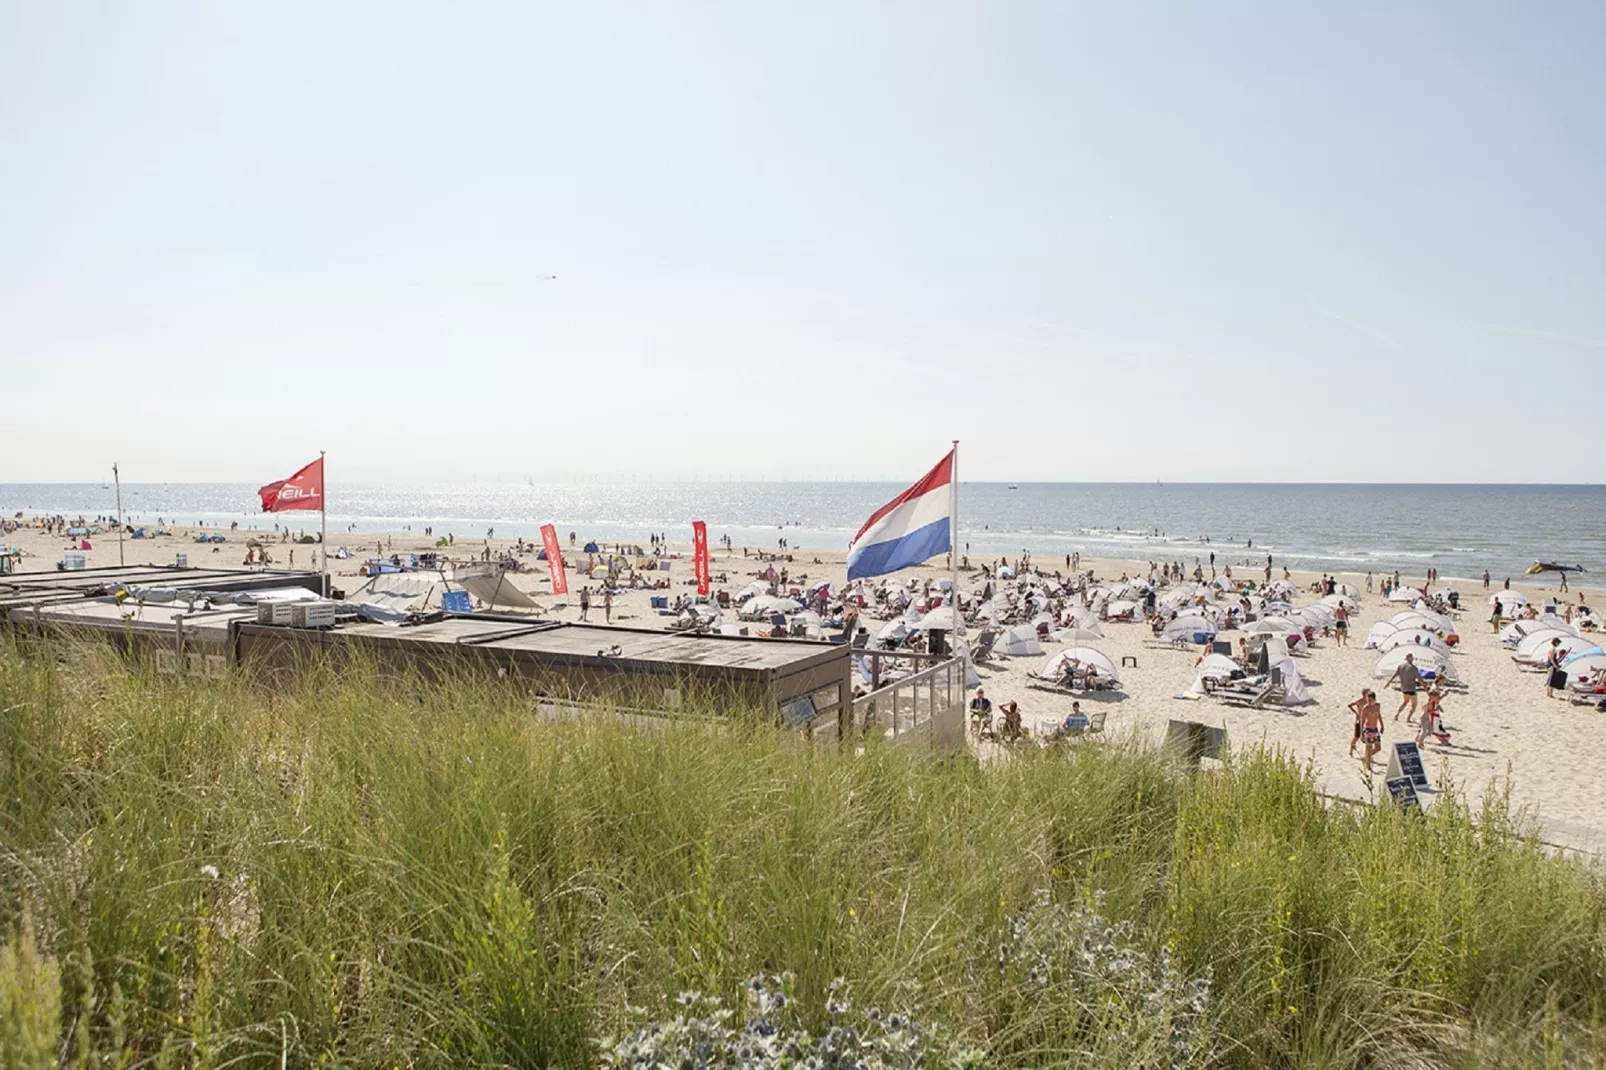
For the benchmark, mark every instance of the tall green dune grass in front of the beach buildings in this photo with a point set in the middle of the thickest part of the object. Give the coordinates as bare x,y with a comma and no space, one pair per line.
375,872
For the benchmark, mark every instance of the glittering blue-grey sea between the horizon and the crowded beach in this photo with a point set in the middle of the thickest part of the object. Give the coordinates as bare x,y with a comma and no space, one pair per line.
1339,528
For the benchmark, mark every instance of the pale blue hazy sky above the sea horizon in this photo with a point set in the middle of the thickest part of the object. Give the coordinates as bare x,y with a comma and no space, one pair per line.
1093,242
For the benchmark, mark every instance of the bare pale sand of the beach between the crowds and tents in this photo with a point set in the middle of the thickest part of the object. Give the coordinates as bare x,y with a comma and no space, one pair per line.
1506,732
